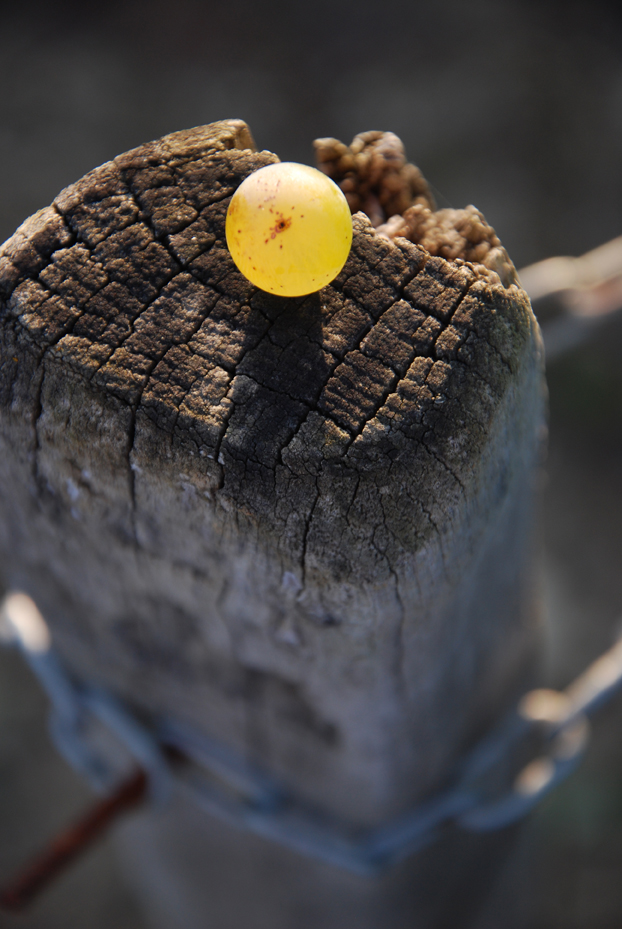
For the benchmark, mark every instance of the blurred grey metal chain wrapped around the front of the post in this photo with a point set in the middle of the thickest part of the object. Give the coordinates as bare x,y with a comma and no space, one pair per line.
497,783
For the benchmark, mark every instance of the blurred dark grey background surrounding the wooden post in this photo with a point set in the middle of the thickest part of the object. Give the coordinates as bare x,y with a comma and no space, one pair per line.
513,106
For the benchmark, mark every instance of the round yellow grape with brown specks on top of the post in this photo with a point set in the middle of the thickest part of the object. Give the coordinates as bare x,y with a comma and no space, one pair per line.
289,229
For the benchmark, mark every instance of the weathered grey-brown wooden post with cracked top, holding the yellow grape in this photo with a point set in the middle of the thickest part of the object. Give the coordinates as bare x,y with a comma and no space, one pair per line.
301,525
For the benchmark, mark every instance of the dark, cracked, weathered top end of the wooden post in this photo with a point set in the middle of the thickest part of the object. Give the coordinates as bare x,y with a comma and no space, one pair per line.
352,416
